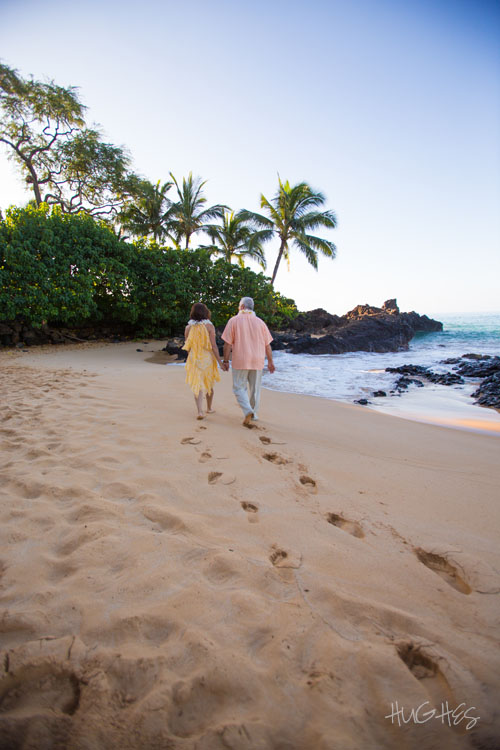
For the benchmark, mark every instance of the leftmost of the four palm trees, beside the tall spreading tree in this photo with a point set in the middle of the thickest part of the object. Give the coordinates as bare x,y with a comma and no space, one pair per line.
150,212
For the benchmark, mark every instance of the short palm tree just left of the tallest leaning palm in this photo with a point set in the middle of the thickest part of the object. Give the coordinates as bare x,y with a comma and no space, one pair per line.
235,239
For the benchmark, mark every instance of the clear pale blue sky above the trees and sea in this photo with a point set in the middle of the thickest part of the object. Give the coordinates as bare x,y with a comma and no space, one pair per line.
392,109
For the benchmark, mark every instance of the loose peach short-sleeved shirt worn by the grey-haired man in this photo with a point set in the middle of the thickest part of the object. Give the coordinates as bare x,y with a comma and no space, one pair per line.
249,336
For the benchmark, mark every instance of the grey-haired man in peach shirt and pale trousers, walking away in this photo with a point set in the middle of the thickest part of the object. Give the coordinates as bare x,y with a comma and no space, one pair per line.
250,341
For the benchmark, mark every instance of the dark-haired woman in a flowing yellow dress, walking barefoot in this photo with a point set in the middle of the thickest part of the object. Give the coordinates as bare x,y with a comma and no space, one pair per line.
201,365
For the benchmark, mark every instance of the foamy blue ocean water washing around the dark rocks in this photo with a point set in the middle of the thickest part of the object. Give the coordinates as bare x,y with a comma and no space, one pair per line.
349,377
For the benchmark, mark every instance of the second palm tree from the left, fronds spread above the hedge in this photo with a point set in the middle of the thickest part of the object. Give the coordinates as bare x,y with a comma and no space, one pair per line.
188,214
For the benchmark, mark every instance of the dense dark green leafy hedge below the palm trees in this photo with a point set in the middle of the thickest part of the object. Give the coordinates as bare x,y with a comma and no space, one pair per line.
71,270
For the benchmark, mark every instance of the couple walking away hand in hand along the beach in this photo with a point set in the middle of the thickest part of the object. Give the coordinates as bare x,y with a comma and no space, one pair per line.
248,339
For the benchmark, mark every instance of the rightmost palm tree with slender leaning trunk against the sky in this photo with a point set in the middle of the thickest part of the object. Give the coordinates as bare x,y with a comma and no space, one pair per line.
291,215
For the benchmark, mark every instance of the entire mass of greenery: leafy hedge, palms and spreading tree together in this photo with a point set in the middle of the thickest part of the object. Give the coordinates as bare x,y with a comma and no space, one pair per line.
63,260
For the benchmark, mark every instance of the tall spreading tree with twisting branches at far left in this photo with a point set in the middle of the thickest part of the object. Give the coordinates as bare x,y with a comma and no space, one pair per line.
66,163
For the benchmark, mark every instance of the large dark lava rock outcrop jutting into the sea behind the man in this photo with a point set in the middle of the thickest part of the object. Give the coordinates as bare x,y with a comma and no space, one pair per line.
365,328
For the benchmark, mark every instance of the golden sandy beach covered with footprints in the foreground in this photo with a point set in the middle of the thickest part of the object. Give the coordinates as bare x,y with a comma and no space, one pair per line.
169,583
